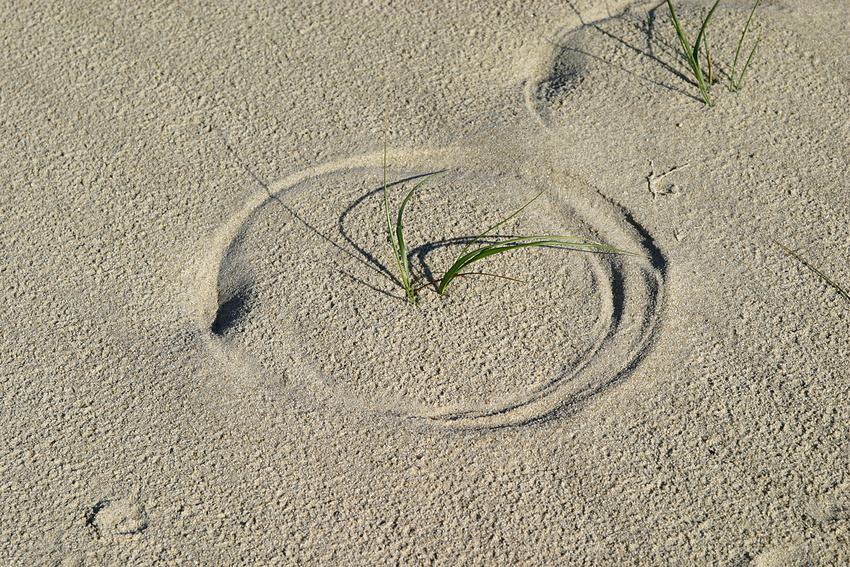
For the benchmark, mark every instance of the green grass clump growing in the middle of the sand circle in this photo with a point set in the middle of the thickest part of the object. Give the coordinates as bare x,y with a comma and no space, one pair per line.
470,253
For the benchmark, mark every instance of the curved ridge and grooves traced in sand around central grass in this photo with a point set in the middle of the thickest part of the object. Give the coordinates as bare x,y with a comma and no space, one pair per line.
623,333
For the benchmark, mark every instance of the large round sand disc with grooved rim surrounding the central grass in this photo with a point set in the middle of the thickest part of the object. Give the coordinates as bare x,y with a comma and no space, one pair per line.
306,289
